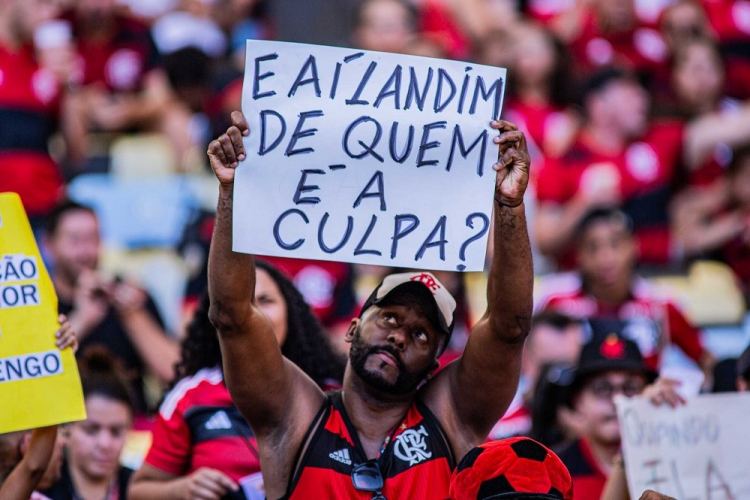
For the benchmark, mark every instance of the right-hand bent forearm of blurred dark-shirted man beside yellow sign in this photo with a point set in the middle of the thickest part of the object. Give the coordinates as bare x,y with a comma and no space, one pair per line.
158,352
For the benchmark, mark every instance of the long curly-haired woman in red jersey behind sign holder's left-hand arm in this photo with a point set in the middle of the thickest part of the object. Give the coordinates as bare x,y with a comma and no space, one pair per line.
202,447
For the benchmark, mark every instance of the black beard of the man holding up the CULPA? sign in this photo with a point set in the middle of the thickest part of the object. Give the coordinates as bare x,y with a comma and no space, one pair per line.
406,381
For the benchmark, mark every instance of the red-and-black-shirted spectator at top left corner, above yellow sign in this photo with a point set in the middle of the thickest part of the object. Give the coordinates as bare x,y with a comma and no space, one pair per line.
30,96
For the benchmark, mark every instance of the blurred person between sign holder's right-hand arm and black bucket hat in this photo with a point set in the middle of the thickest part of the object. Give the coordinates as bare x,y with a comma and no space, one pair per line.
554,338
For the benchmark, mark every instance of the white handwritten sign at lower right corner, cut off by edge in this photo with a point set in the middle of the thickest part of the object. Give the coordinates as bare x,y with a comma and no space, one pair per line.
695,452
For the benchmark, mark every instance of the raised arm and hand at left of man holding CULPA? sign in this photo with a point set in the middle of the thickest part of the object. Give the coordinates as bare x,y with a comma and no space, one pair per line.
263,384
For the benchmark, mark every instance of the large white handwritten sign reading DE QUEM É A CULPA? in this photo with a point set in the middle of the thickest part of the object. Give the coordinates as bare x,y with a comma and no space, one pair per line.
366,157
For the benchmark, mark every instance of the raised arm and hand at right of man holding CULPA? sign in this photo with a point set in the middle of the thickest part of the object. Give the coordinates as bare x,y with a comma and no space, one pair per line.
482,383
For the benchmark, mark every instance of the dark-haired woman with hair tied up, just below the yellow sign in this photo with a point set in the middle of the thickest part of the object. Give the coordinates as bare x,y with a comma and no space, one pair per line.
91,468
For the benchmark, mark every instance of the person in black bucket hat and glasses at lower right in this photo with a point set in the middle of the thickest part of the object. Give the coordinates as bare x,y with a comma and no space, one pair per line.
608,365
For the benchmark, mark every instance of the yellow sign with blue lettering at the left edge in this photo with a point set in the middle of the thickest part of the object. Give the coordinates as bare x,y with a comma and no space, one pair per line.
39,384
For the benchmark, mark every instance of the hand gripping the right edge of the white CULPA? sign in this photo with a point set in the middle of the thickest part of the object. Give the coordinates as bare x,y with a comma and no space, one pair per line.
513,163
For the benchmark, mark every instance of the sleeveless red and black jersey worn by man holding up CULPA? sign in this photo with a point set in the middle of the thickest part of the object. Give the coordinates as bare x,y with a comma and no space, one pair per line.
416,464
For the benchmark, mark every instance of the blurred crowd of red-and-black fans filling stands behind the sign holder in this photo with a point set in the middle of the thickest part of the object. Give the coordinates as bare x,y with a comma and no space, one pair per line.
637,115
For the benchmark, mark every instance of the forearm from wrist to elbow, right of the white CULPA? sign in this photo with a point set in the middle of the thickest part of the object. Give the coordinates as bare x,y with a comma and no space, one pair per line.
511,280
